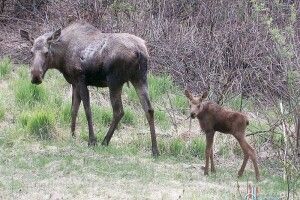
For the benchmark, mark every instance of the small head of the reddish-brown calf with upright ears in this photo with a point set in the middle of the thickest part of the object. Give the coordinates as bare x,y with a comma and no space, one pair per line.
195,102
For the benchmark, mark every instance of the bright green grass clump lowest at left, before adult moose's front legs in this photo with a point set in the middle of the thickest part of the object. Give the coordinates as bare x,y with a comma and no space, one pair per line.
40,123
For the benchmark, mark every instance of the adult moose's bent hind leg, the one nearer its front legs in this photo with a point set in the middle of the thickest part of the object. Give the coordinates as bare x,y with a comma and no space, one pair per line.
118,112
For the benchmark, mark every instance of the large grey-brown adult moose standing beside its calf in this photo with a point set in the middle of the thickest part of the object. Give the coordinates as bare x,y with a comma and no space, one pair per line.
87,57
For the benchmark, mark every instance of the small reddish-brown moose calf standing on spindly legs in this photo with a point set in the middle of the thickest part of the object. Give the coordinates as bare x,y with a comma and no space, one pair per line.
212,118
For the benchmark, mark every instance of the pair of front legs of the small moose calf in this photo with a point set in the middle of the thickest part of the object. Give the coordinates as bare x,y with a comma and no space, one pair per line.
209,152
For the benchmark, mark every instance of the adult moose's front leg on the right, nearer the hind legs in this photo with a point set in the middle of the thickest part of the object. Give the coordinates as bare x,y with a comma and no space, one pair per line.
85,97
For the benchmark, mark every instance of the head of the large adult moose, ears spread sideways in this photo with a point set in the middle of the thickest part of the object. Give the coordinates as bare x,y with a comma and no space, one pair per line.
42,53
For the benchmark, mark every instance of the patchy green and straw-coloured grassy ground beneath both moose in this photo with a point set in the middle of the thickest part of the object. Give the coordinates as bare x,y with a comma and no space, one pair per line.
40,160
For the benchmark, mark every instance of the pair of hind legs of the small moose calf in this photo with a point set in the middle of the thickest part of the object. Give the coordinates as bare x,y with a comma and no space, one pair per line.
249,152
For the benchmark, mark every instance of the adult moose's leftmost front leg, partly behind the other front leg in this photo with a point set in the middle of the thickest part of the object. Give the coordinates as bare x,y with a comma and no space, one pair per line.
75,106
